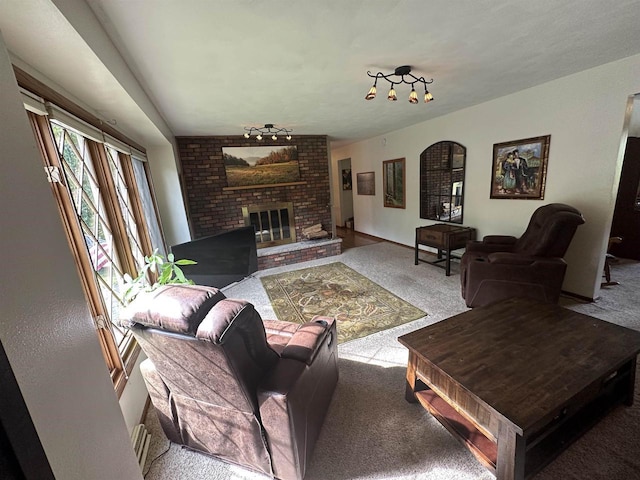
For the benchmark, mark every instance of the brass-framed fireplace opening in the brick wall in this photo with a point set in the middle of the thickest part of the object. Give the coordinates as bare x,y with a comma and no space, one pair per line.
273,224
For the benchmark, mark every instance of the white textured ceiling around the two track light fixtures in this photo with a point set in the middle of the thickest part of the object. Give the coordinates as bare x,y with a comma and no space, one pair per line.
214,67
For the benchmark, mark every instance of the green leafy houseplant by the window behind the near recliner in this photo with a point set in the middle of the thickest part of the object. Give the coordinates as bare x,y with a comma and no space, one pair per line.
164,270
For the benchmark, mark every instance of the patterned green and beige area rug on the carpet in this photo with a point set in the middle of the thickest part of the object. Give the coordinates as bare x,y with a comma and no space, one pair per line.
362,307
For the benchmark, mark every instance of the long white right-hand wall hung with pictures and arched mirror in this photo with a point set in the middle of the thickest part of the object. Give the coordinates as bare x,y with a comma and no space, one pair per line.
583,113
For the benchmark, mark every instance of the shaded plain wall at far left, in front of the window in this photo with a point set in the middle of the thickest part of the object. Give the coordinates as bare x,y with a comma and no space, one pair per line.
45,326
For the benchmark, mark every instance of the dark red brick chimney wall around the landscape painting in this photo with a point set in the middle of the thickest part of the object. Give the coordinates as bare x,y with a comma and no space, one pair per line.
214,209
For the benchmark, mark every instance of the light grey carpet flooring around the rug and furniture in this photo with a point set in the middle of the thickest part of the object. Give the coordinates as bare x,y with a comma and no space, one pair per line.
372,433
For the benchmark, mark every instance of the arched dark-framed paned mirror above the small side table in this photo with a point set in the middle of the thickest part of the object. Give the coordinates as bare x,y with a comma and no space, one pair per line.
442,182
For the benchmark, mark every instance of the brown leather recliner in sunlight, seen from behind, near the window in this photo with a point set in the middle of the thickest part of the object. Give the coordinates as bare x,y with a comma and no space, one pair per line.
224,382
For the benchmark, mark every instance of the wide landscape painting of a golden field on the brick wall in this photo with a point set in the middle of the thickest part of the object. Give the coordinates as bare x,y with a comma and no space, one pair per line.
257,166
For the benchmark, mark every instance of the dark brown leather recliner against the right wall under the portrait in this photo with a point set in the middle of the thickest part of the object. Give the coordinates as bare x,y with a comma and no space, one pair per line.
500,266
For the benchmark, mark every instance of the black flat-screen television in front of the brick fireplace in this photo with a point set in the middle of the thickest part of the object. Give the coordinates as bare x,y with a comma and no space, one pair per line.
223,259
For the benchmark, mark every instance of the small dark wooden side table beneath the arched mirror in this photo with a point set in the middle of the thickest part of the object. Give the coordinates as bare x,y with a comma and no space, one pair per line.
445,238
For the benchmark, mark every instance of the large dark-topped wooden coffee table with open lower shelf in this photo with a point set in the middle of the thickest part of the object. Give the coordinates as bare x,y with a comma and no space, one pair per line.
518,381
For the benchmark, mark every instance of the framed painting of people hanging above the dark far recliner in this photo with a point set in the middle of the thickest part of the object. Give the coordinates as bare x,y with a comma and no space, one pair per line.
519,168
